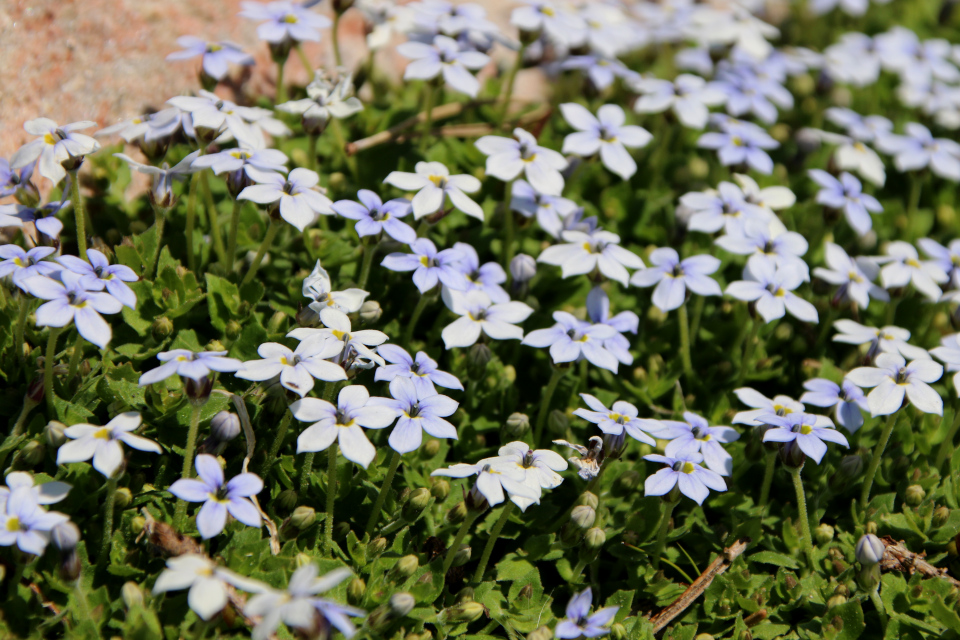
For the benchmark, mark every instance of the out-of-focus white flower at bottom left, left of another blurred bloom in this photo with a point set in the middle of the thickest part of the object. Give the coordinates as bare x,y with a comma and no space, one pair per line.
206,580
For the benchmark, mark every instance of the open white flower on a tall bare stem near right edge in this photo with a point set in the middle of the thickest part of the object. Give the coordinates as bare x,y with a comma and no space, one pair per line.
893,378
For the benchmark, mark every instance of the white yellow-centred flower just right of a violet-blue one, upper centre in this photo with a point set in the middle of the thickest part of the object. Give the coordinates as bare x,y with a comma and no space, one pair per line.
433,184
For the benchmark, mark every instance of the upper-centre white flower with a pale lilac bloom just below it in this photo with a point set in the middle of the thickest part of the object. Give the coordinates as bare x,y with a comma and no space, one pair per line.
507,158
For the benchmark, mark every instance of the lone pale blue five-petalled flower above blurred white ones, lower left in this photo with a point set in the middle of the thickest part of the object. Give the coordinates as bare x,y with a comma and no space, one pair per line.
219,497
